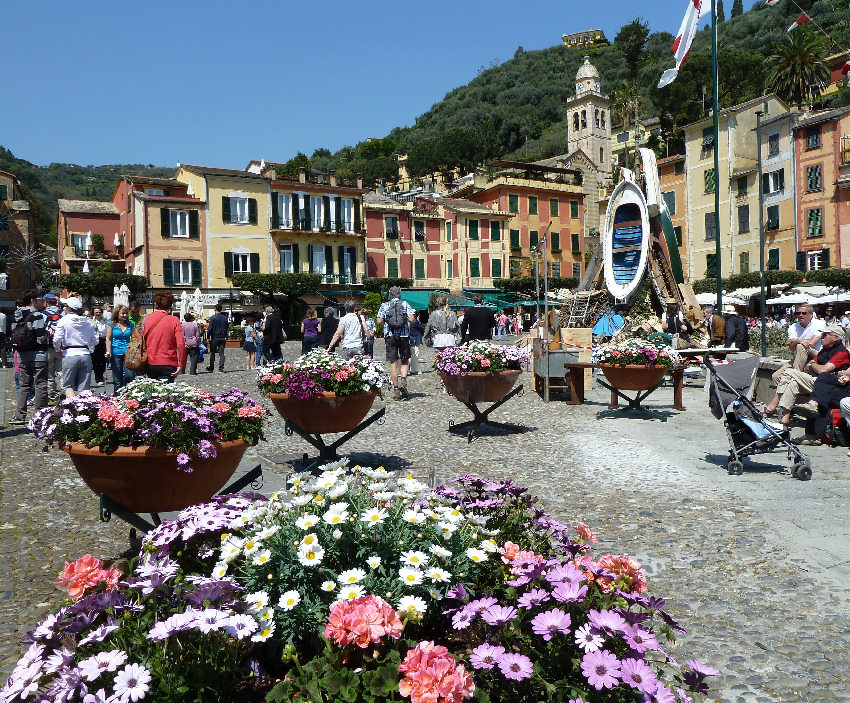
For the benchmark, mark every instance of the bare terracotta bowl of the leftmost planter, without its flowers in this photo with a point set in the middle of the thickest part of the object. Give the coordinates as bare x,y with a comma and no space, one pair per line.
147,480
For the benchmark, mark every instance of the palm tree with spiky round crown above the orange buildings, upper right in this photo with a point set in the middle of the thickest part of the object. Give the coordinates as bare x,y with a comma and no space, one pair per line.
798,74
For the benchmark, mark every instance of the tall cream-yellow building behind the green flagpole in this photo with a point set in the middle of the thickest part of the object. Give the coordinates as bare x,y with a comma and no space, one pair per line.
738,190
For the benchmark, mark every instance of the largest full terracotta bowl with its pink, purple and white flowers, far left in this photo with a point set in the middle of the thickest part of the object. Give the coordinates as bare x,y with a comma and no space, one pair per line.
154,447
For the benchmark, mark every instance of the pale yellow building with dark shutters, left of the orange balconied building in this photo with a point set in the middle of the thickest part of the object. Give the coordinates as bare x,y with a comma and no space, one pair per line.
237,217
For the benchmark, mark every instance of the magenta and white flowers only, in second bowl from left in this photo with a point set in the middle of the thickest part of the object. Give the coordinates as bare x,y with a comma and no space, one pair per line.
322,372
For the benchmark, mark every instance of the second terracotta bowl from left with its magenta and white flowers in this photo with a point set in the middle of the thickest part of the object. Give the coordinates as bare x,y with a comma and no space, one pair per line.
322,392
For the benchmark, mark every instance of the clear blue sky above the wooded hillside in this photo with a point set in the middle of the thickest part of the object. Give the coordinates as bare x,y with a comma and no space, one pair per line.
221,83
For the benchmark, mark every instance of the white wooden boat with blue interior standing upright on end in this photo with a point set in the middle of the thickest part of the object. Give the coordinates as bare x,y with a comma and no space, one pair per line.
626,240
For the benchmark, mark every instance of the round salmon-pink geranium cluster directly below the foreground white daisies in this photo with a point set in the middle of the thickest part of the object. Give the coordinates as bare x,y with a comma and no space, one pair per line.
362,621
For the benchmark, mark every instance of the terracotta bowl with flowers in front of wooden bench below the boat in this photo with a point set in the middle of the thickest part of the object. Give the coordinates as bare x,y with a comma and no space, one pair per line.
635,364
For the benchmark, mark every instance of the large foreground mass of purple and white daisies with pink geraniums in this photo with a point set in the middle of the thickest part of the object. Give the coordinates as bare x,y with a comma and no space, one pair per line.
356,586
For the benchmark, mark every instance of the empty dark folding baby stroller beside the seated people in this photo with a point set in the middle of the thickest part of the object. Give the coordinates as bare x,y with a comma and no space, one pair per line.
748,430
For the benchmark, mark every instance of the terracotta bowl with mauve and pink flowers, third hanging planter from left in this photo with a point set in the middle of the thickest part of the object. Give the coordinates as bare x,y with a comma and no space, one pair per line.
483,371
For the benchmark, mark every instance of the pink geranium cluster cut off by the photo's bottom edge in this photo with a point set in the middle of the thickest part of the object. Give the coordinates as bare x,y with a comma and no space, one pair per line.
432,675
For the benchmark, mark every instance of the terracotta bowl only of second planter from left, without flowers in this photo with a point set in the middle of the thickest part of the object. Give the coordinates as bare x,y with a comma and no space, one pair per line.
326,413
